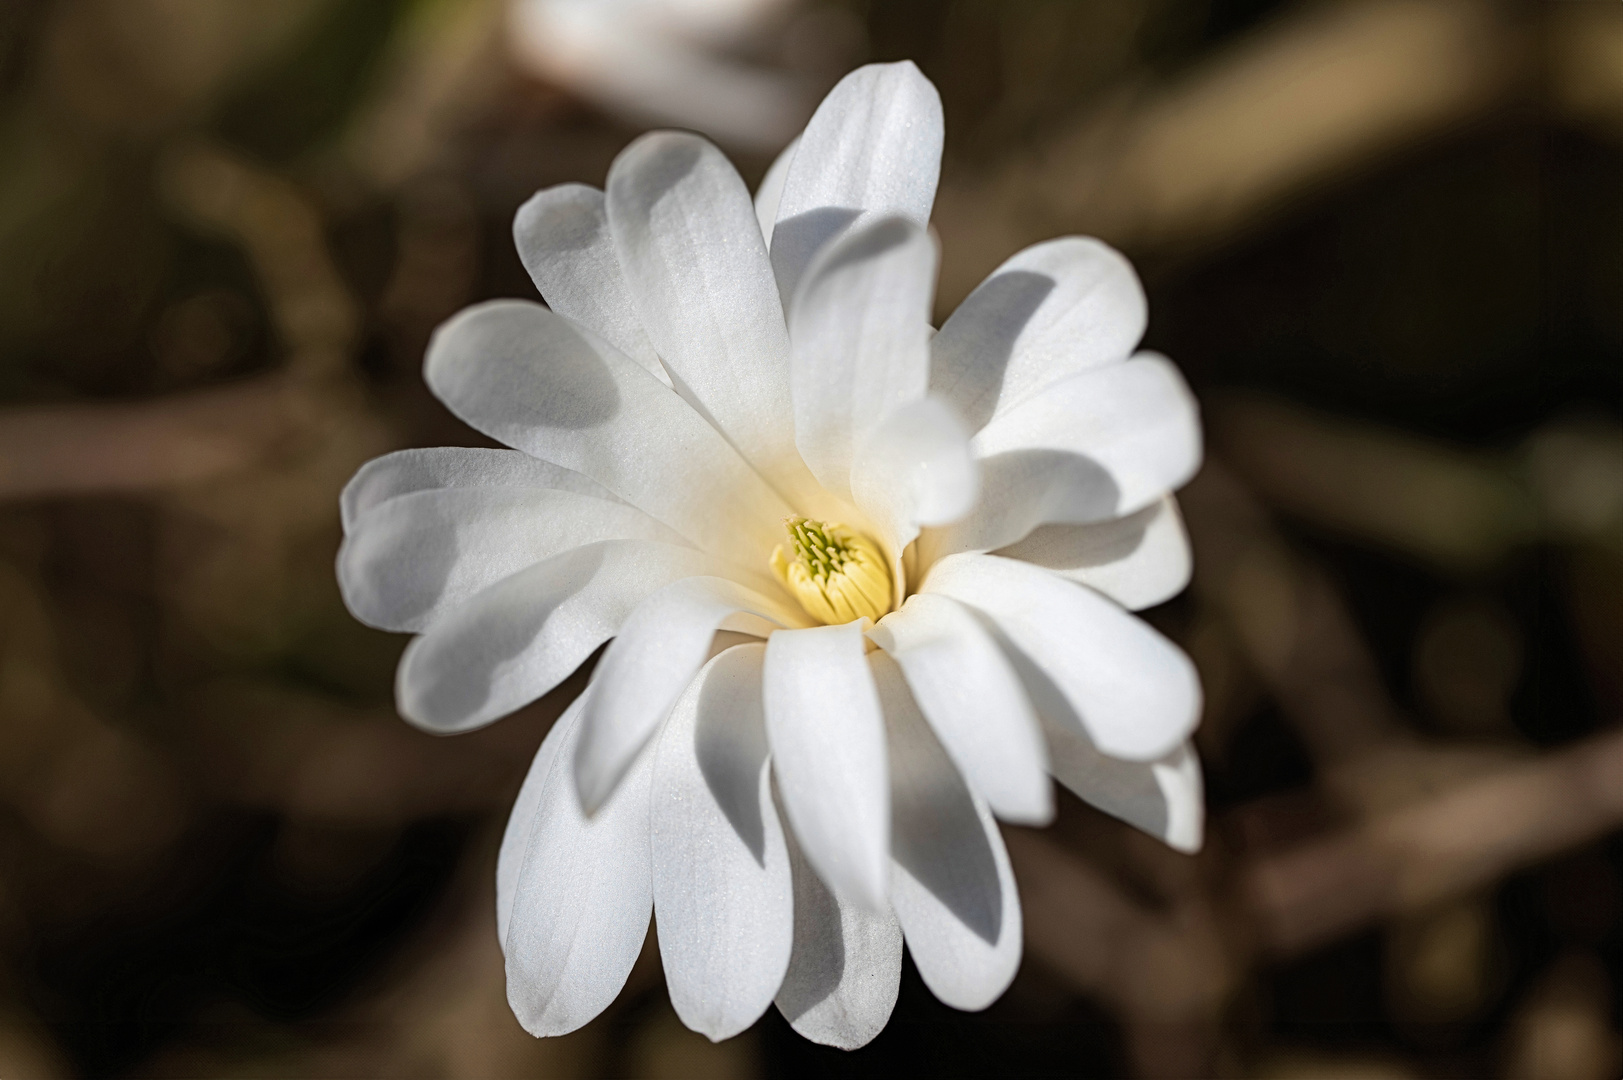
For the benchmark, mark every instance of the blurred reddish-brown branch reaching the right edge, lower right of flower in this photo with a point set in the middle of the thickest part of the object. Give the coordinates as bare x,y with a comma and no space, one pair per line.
1460,840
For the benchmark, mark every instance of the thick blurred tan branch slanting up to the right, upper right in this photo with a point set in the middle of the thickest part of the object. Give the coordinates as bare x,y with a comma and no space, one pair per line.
1324,92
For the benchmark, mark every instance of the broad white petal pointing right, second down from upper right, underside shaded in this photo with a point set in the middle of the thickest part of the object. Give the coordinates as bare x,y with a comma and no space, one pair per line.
1093,447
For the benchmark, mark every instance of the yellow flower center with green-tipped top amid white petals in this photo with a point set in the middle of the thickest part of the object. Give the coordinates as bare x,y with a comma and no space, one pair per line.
835,572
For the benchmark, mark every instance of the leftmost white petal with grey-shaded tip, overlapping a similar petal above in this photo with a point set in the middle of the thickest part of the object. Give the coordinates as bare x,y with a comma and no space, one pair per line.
418,556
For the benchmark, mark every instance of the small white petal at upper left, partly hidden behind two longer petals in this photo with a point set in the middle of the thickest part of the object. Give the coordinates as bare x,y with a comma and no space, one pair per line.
562,238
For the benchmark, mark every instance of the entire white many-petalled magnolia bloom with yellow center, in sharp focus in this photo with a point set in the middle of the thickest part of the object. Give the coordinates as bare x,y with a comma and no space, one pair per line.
738,420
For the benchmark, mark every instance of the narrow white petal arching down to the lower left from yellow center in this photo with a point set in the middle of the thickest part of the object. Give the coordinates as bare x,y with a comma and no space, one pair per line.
660,647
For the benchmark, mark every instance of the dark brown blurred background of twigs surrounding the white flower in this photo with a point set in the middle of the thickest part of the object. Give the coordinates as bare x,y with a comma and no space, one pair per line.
1384,240
